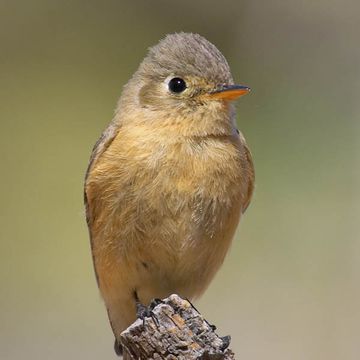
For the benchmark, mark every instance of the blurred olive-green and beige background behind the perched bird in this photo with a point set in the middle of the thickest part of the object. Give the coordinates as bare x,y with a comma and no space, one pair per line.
290,285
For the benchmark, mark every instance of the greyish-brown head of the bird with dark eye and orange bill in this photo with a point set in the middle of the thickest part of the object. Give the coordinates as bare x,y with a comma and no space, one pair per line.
185,80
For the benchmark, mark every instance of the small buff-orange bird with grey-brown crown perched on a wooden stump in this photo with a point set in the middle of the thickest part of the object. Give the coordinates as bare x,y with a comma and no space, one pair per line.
168,179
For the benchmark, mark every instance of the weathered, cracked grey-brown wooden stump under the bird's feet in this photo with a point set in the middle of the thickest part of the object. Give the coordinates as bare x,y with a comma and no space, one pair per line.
175,331
